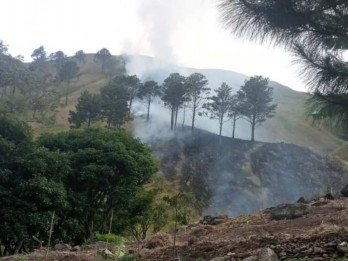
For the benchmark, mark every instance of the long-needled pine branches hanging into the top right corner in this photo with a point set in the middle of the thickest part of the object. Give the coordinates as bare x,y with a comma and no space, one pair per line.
316,32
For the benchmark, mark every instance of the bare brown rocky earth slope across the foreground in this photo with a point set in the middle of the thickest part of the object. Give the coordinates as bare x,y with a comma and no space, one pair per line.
314,236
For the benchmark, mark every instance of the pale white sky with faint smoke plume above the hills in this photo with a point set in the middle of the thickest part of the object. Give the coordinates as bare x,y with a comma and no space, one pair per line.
184,32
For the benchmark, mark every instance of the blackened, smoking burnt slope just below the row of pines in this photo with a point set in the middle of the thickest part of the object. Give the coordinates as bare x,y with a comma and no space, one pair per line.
241,177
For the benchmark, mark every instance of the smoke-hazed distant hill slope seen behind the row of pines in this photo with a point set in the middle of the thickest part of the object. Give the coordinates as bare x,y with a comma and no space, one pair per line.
289,124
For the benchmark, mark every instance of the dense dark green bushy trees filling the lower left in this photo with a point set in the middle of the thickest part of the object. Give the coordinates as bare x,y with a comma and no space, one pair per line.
82,175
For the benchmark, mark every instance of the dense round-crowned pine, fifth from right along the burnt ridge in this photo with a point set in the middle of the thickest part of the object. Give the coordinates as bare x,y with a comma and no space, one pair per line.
174,95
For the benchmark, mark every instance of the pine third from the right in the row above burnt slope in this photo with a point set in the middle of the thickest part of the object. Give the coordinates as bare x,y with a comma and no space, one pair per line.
220,105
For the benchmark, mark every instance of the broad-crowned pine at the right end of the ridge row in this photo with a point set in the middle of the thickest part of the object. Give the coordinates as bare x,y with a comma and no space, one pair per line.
256,96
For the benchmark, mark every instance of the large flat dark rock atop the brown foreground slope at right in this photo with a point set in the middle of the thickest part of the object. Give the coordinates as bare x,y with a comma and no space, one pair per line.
289,211
